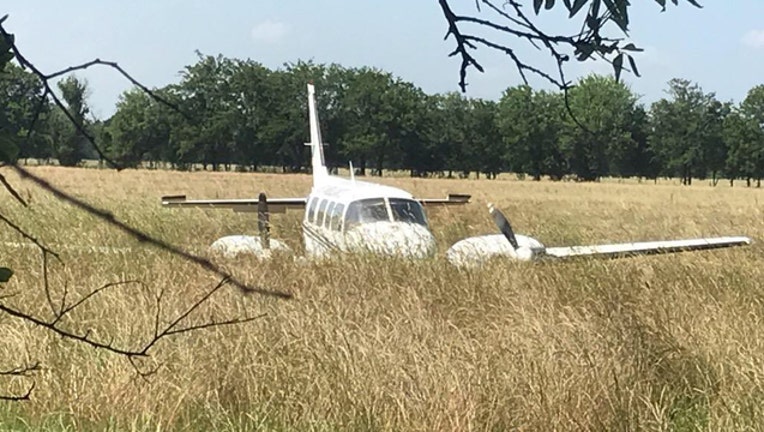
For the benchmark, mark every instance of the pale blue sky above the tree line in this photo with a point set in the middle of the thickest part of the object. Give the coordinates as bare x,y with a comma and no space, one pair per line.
719,47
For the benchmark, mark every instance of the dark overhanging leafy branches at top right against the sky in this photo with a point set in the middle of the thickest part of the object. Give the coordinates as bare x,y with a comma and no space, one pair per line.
513,21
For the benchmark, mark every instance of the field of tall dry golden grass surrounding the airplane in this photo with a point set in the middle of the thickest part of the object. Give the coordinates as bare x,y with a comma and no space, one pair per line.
650,343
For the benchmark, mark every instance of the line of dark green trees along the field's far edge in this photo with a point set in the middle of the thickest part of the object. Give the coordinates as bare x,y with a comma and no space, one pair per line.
226,113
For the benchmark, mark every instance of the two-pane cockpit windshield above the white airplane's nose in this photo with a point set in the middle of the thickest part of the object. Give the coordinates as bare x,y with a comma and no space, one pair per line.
376,210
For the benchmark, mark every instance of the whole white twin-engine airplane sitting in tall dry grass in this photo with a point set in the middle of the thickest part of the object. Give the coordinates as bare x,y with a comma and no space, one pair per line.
345,216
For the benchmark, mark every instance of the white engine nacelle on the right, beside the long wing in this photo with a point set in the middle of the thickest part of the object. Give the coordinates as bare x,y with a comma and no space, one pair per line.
474,251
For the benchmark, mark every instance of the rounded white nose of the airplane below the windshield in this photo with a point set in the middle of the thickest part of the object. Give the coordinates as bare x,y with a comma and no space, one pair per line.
398,239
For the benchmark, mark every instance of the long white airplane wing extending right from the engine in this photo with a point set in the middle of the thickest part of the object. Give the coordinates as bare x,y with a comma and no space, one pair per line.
646,248
